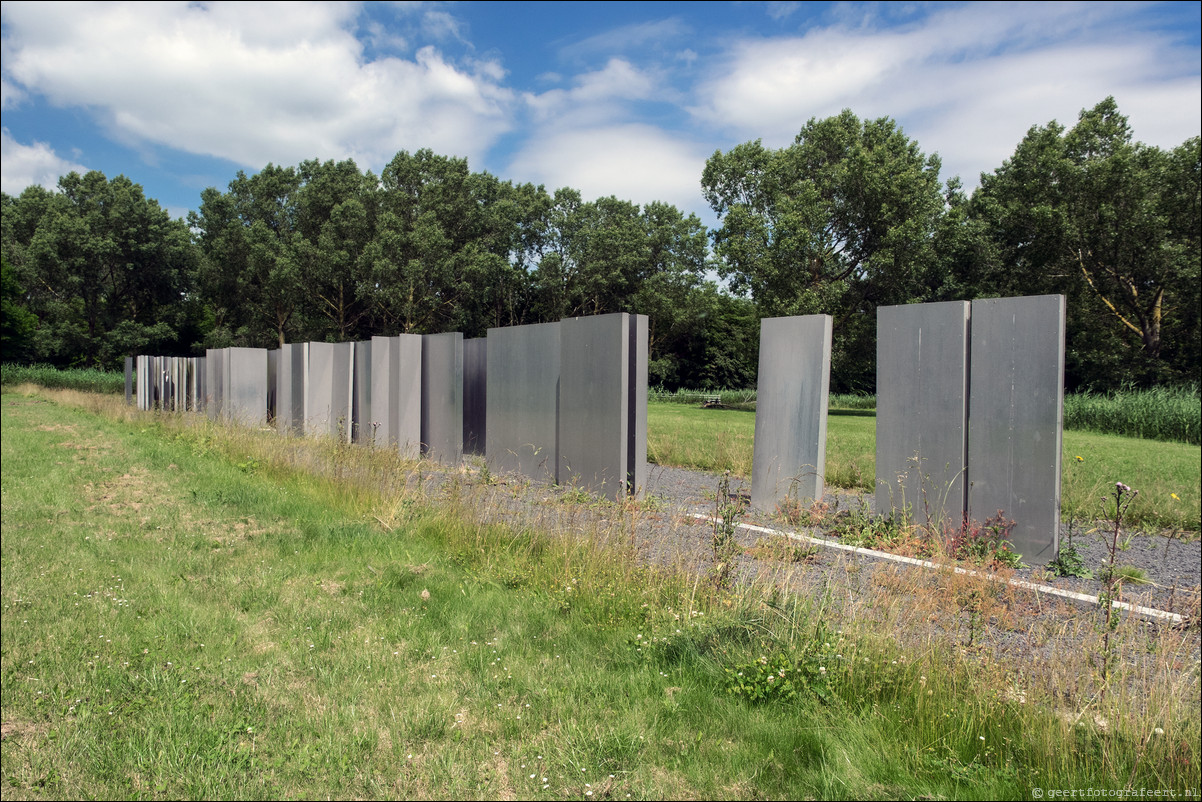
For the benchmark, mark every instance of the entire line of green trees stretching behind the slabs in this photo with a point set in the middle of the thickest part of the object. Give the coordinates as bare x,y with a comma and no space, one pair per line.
850,217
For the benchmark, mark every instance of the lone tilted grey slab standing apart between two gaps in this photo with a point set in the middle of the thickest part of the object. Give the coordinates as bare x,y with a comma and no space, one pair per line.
789,458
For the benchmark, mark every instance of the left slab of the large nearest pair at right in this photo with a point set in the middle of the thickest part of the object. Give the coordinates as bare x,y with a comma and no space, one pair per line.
923,375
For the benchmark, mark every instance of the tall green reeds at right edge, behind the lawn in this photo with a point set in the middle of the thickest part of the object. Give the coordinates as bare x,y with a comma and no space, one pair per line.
1171,414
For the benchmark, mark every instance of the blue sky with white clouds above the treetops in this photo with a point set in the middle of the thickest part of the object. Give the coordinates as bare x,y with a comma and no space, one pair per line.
624,99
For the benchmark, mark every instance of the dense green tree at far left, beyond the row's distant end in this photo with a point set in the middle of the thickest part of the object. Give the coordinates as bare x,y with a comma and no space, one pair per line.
105,270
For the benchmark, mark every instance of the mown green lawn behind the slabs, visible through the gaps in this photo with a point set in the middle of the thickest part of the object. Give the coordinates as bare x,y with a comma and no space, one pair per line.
1169,476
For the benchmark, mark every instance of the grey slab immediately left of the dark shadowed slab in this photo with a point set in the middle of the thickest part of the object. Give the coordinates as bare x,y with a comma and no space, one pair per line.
443,397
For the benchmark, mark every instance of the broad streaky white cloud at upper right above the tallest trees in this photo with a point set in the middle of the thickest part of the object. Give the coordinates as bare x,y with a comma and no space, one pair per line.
967,82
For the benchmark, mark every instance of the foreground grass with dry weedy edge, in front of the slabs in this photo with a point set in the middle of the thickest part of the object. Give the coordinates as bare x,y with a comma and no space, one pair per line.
191,611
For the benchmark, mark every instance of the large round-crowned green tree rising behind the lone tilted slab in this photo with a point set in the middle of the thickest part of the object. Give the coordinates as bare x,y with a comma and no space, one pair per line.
838,223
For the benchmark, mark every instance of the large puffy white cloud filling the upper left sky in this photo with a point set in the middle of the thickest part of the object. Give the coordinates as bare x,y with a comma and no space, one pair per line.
252,84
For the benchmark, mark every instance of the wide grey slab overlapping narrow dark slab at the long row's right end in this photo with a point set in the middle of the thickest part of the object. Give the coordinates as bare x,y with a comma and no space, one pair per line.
594,403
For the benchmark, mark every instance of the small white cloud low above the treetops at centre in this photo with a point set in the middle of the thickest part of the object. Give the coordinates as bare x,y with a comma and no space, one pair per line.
633,162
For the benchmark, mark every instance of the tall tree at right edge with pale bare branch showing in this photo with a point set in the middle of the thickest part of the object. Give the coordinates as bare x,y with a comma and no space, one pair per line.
1111,223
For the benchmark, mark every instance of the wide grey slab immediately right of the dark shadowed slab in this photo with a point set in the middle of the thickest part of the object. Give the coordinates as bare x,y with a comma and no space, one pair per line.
522,387
